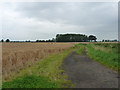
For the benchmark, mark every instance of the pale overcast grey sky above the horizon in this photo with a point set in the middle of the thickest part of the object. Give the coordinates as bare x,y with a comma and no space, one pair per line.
43,20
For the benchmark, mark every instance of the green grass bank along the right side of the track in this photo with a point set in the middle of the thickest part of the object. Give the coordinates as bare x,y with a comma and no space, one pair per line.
109,59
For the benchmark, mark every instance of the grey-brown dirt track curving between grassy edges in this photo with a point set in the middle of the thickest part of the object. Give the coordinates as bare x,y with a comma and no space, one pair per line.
86,73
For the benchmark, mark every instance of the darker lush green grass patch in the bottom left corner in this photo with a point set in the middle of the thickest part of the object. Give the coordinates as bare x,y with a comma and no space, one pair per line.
30,81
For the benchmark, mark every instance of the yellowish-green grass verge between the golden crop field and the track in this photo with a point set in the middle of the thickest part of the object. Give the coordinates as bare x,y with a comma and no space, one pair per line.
44,74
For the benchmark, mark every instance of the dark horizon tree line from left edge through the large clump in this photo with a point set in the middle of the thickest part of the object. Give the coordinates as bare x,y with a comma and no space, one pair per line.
64,38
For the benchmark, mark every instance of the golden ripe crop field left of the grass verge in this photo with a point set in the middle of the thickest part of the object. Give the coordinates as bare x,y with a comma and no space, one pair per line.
16,56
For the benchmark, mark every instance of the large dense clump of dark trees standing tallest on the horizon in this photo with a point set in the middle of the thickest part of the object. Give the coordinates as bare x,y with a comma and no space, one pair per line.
74,38
